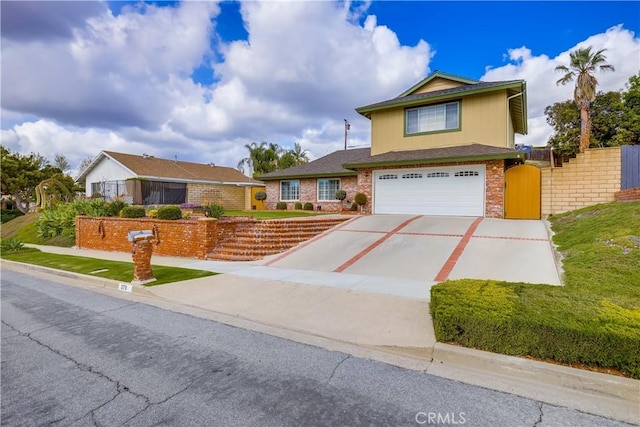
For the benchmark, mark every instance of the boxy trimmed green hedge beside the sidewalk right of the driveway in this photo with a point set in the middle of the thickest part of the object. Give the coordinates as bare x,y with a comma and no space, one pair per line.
510,318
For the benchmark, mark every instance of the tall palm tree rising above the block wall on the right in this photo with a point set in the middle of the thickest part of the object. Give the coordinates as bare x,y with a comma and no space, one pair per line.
582,65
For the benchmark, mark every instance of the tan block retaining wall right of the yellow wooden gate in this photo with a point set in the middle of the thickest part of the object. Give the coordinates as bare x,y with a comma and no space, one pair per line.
592,177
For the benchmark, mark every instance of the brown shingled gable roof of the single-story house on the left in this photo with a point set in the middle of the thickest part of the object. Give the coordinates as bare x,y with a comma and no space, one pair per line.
150,167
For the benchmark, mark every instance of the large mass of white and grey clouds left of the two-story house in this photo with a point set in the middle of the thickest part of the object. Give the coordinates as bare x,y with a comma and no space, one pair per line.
129,75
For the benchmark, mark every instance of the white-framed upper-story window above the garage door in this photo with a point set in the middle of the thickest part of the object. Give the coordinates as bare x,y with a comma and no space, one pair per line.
433,118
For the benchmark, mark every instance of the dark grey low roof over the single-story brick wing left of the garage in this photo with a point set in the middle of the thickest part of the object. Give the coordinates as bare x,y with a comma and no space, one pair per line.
327,166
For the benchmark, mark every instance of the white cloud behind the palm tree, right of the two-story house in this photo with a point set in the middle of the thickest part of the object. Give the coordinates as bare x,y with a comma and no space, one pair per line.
622,51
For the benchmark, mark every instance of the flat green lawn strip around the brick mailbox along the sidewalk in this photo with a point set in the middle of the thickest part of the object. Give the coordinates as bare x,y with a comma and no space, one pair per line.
115,270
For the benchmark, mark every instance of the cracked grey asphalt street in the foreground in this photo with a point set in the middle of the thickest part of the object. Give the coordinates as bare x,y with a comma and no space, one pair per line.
75,357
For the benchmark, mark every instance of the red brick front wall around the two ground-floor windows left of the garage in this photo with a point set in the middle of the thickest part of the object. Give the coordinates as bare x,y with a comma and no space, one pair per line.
309,193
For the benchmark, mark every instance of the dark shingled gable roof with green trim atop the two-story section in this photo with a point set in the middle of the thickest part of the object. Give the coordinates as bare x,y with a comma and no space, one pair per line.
516,92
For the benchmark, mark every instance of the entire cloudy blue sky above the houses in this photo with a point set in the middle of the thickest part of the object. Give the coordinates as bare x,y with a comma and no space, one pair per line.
199,80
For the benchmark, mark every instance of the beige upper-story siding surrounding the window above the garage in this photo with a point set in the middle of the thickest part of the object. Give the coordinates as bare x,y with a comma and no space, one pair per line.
483,121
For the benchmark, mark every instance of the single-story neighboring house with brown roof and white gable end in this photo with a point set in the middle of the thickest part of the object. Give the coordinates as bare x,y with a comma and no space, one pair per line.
146,180
